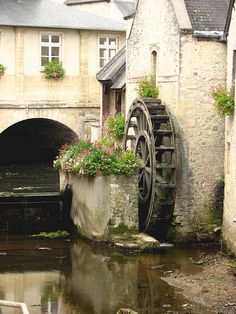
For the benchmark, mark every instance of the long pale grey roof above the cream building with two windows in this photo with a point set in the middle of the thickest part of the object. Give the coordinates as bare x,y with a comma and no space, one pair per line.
46,13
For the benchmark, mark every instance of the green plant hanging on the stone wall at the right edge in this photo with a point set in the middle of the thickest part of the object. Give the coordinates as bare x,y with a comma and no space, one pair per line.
224,101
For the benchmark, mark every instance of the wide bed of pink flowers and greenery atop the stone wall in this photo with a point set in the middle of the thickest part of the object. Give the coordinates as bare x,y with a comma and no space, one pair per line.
93,159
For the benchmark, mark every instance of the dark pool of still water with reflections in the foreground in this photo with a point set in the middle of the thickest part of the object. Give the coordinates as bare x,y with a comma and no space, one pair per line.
74,277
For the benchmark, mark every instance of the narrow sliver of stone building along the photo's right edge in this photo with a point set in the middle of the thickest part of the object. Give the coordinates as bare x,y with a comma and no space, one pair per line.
229,219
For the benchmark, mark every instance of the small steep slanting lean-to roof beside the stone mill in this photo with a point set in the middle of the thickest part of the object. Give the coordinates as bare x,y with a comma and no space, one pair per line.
111,71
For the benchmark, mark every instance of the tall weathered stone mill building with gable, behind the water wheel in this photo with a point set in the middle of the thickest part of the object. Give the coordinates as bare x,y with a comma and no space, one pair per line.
181,44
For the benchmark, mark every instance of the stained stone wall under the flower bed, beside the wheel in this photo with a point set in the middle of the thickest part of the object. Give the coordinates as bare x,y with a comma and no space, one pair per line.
101,204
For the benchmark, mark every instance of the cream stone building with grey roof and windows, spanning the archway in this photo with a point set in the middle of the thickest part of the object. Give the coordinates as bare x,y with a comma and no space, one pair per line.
34,32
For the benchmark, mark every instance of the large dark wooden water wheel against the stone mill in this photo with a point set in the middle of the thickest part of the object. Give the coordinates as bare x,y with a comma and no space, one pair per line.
149,132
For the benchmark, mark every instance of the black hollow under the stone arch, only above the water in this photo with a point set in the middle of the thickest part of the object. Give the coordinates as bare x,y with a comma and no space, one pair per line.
34,140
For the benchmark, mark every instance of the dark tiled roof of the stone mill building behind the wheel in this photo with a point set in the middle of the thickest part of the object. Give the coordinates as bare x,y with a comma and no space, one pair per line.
207,15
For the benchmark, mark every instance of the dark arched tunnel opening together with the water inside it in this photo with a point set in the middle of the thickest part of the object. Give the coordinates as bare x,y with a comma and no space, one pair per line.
28,150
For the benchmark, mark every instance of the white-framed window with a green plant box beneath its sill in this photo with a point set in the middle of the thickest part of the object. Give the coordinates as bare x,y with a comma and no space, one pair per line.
50,48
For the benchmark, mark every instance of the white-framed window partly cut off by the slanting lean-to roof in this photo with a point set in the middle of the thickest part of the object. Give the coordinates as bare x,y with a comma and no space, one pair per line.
108,47
